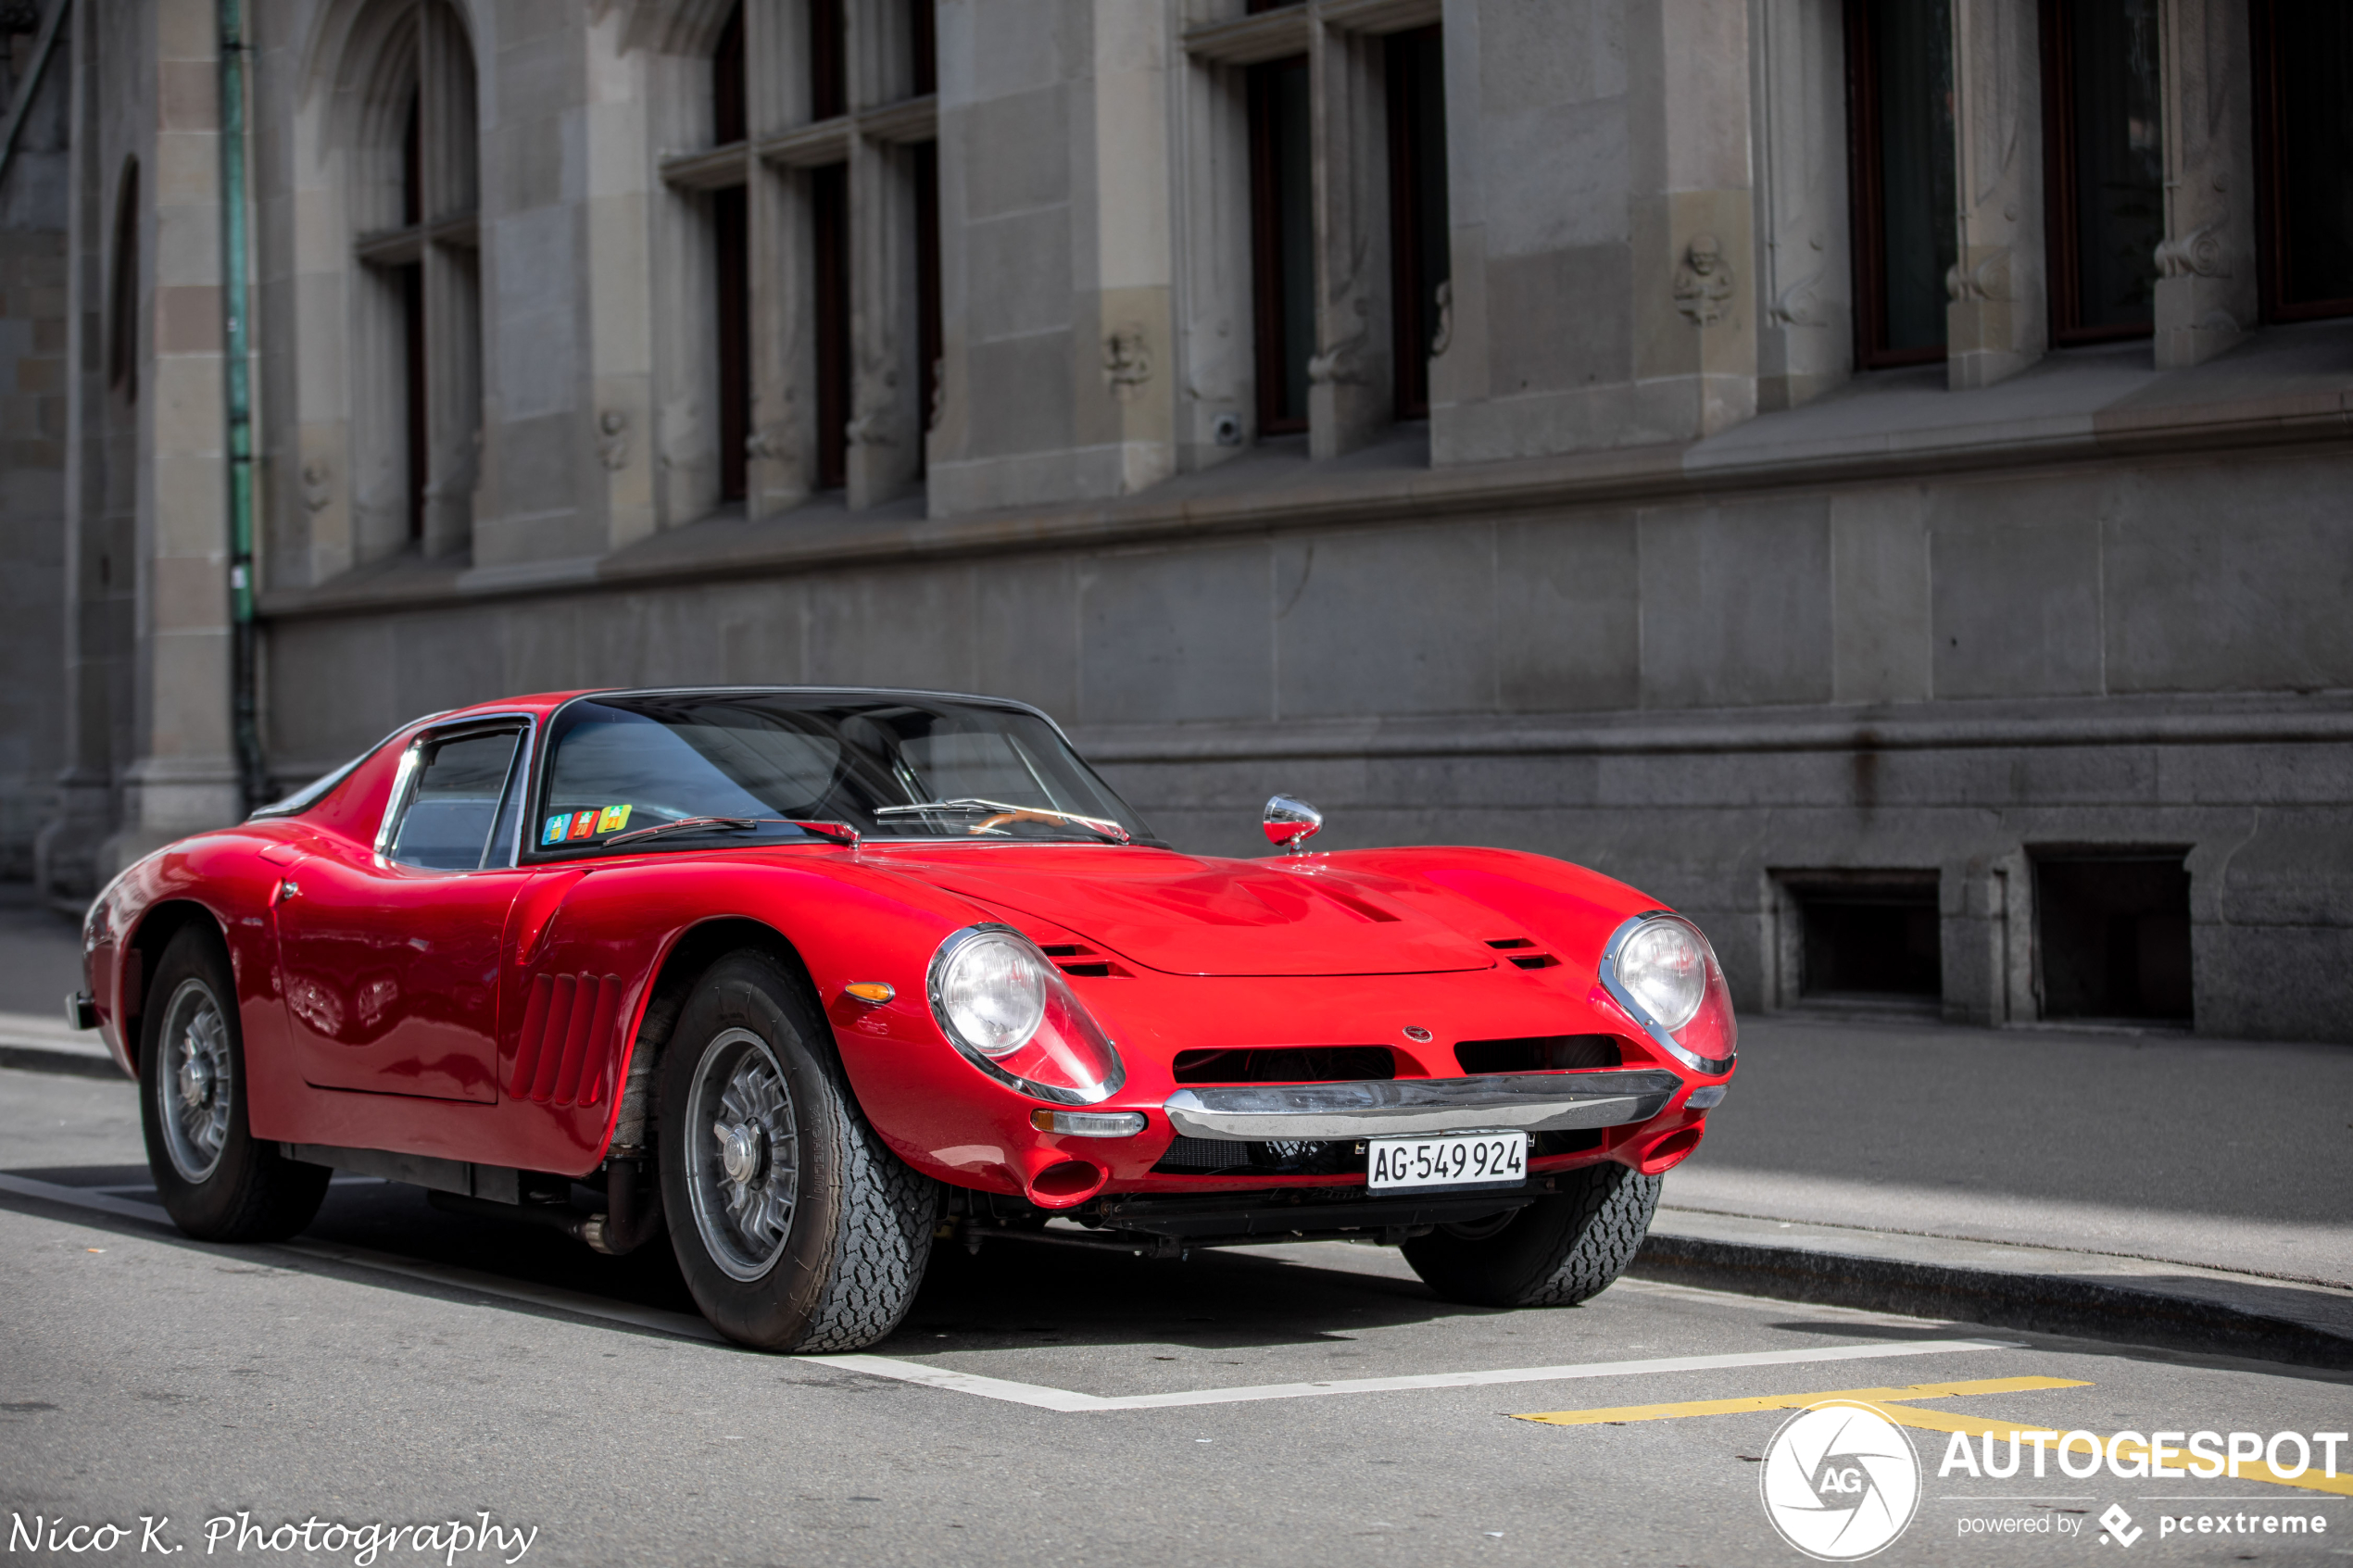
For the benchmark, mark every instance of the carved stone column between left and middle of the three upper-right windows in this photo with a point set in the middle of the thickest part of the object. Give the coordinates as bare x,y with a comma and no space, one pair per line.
1999,321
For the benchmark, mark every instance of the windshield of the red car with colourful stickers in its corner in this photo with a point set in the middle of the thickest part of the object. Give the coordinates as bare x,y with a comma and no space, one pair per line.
747,765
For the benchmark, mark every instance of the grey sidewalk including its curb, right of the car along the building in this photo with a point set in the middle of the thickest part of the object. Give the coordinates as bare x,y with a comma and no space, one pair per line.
2157,1188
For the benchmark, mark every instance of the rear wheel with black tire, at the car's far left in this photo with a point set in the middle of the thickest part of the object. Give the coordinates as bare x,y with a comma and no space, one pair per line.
215,1179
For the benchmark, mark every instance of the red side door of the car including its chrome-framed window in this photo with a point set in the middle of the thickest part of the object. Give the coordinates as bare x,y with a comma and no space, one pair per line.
389,953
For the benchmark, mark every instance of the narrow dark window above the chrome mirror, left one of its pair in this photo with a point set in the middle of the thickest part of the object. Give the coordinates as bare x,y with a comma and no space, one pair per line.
1281,241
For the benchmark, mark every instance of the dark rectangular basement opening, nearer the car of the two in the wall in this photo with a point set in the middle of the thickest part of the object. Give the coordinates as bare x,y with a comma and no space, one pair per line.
1867,937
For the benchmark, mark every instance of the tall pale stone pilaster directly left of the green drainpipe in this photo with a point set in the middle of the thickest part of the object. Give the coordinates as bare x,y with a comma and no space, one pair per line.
185,775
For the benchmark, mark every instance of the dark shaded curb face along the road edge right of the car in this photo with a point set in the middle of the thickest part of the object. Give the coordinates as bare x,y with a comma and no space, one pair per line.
2041,1304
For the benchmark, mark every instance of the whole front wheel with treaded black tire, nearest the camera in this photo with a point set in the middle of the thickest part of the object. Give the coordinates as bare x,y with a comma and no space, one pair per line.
841,1266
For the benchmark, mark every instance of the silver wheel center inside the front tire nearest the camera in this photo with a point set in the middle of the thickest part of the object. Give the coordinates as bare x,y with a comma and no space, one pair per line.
742,1155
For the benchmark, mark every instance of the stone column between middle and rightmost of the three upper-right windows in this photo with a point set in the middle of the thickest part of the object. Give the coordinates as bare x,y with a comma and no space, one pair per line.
2206,264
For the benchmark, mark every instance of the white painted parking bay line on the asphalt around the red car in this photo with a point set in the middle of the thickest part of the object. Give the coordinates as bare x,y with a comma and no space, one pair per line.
1001,1388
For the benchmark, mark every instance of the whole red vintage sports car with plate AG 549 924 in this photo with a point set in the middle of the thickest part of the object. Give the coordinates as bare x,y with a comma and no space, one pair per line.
818,979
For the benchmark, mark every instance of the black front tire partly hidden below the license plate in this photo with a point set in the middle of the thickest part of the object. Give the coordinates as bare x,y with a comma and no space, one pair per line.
1554,1254
